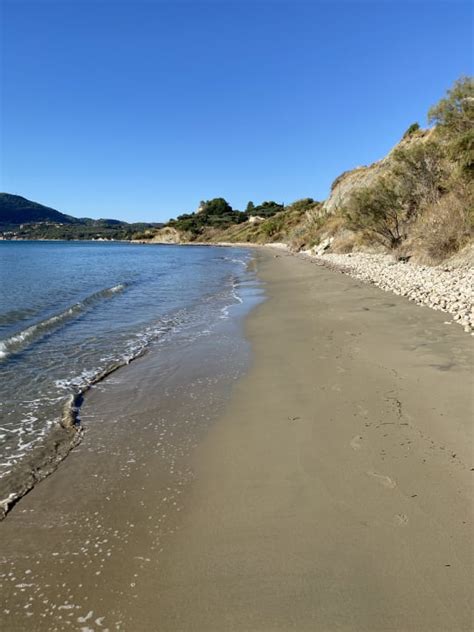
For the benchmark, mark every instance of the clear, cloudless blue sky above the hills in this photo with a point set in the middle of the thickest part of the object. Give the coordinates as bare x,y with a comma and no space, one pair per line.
139,109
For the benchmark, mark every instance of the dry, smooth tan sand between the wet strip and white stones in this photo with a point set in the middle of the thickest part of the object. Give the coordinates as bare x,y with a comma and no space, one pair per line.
334,494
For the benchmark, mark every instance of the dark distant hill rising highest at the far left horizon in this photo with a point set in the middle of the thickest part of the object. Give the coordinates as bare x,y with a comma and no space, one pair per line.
15,210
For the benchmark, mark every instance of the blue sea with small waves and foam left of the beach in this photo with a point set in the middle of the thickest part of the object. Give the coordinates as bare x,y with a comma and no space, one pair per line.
69,311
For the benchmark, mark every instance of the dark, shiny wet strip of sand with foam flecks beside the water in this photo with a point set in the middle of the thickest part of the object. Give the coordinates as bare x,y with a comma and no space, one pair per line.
145,419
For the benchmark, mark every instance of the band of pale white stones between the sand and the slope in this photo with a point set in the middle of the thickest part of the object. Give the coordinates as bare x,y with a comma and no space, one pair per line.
447,287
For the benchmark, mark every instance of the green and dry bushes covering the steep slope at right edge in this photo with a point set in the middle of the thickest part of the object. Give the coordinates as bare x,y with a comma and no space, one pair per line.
423,204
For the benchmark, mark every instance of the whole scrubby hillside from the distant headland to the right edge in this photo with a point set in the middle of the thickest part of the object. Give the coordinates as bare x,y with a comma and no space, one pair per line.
417,202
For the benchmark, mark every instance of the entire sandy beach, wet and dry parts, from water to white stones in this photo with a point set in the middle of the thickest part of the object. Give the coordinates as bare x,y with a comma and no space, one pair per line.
333,492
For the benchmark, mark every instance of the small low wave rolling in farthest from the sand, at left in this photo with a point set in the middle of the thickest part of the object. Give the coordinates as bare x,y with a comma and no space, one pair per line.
31,334
